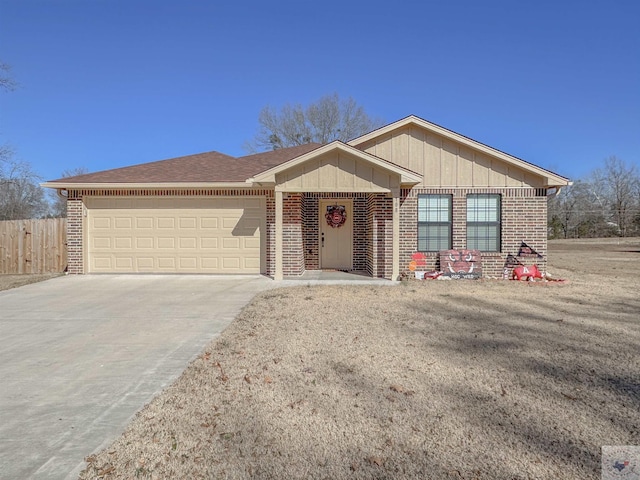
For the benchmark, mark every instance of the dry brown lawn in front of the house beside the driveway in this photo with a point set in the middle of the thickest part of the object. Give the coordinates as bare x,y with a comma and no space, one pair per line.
428,379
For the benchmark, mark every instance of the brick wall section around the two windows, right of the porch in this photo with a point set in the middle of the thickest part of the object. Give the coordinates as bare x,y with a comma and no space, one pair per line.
523,219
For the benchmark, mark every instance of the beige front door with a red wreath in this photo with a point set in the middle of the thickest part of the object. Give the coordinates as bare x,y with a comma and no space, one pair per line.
336,234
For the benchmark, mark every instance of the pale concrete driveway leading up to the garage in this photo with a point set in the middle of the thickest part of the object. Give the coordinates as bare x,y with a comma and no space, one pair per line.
80,355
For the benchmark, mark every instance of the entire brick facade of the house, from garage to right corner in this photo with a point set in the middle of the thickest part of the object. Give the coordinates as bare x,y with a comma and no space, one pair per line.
523,217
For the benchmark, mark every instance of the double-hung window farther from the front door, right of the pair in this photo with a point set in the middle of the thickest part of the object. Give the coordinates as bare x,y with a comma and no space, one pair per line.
483,222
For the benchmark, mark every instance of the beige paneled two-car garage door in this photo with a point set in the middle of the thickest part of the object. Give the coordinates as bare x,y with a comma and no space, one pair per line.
175,235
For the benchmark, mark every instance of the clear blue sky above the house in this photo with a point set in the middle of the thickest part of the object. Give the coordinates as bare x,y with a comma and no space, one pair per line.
109,83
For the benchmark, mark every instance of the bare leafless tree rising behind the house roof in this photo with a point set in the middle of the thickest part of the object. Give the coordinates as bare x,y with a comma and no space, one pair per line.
328,119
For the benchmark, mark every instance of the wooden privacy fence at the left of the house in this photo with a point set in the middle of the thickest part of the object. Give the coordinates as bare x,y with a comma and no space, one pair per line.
33,246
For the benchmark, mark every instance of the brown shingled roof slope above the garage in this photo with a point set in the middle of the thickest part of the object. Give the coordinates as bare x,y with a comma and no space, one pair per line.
209,167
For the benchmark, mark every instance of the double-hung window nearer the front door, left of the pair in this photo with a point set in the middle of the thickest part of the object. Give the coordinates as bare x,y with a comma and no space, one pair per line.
434,223
